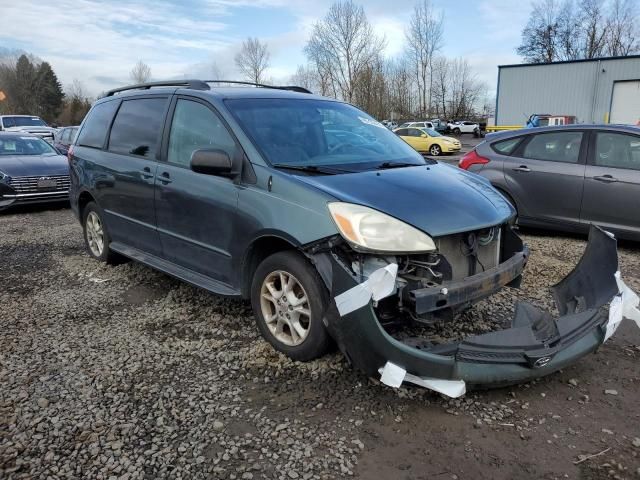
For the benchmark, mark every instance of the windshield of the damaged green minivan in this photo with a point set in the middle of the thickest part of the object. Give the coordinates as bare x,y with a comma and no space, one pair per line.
319,133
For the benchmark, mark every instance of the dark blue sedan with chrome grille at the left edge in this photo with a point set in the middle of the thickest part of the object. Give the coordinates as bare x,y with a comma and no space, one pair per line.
31,171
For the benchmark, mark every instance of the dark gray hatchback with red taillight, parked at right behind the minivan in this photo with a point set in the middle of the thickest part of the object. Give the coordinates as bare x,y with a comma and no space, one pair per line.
566,178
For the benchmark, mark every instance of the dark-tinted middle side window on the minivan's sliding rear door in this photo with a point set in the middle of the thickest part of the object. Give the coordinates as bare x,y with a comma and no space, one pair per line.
136,129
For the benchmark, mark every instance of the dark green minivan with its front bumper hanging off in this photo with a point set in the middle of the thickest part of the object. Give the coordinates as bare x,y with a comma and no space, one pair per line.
236,190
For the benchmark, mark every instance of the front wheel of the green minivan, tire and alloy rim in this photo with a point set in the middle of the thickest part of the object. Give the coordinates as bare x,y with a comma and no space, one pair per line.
289,300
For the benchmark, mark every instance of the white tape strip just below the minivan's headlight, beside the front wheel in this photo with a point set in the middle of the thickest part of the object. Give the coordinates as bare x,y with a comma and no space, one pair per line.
379,285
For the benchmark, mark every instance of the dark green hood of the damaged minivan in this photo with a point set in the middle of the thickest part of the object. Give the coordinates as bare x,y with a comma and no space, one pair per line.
437,199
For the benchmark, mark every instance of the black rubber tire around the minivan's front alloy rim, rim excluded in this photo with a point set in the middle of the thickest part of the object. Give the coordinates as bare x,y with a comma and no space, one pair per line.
317,341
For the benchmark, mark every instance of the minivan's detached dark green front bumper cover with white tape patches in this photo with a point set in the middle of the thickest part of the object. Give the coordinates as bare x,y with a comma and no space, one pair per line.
536,344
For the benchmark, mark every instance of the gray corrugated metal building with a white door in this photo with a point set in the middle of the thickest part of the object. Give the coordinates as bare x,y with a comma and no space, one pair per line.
605,90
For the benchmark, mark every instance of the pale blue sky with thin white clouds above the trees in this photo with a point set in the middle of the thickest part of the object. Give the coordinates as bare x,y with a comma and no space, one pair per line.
98,42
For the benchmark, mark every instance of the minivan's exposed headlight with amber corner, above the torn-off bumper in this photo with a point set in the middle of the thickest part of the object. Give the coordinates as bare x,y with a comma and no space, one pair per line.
367,229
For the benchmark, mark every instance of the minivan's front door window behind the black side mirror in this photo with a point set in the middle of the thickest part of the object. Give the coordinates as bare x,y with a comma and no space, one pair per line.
195,127
